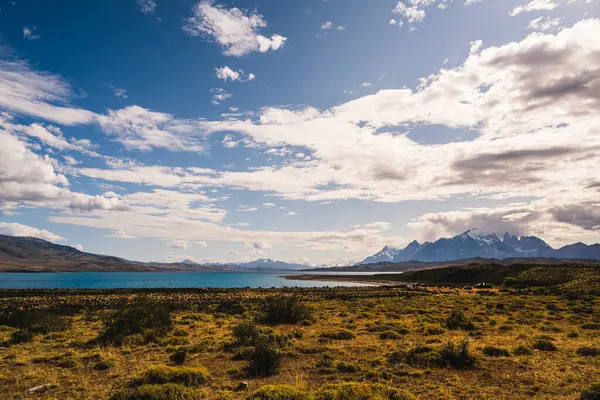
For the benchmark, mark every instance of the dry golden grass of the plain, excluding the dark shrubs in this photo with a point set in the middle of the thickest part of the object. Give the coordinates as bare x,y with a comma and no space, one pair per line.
502,320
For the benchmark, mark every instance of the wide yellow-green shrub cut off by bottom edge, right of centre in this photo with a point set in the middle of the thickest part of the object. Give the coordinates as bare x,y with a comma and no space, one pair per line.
360,391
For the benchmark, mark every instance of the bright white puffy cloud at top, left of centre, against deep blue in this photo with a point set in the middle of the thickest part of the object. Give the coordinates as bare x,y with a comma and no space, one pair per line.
235,30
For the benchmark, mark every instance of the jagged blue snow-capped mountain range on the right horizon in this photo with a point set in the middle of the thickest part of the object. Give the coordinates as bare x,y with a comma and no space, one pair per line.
476,244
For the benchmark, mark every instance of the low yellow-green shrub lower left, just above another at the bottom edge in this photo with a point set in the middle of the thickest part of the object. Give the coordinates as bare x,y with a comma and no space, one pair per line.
161,374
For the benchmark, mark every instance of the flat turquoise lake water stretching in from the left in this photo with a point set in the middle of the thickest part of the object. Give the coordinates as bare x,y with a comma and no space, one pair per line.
114,280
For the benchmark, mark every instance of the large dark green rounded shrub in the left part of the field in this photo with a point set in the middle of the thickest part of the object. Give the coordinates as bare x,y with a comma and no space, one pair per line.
143,317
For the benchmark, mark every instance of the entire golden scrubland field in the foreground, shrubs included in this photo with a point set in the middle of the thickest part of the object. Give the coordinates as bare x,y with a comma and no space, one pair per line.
336,344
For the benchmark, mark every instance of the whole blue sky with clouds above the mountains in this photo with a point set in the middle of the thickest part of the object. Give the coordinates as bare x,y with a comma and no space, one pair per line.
306,131
